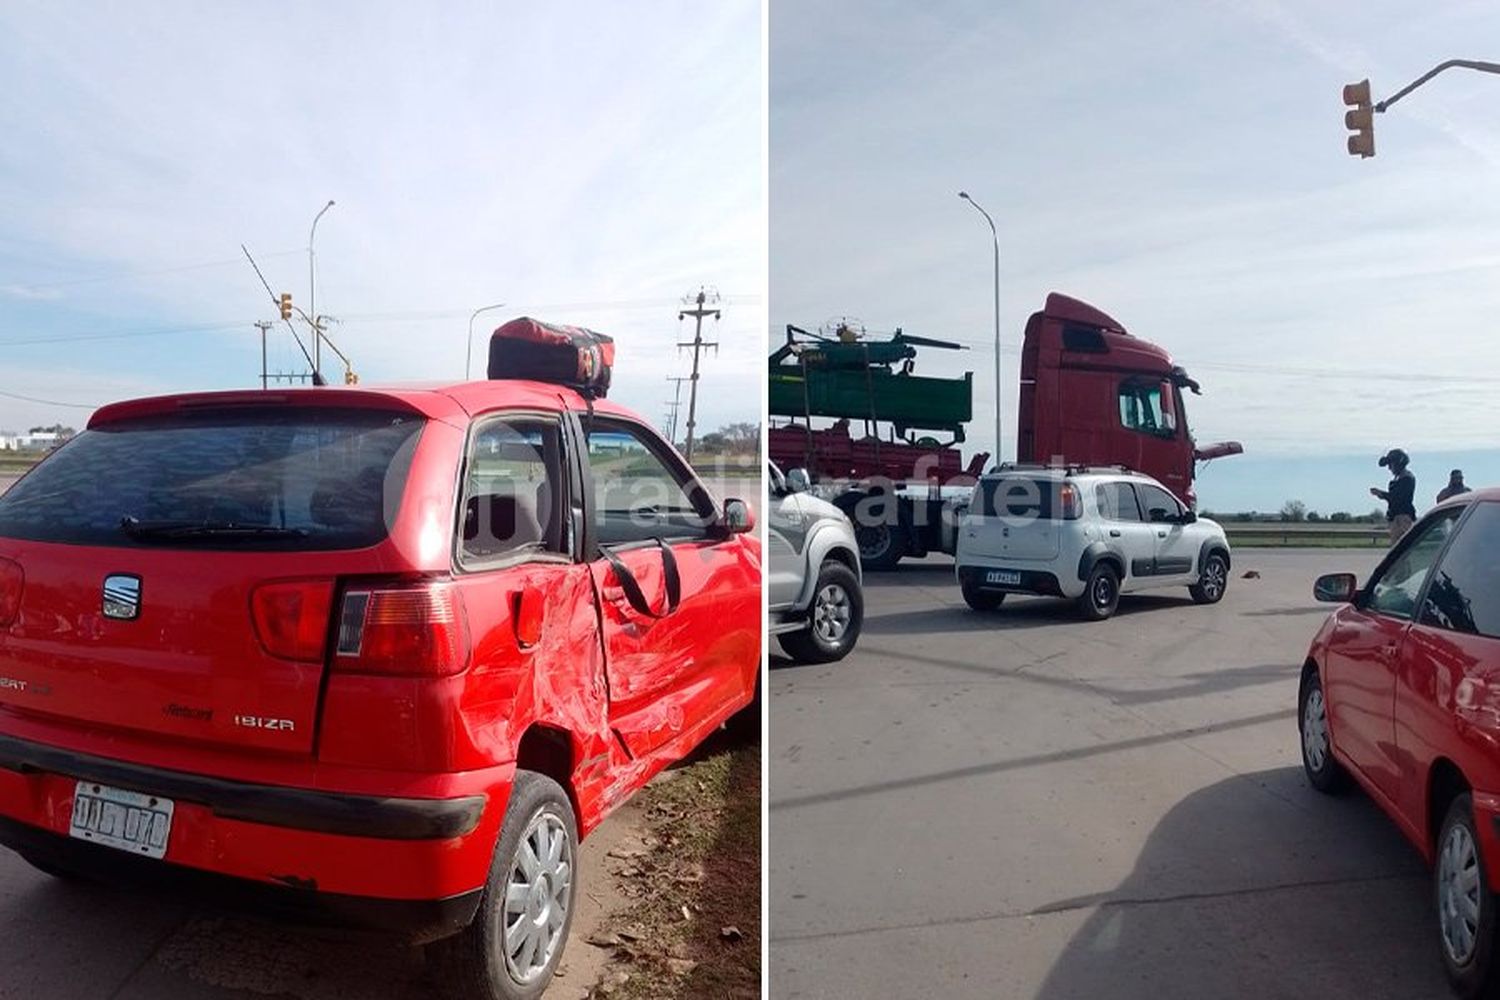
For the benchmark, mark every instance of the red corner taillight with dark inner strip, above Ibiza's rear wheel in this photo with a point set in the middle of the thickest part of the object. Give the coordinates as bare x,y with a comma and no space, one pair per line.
415,632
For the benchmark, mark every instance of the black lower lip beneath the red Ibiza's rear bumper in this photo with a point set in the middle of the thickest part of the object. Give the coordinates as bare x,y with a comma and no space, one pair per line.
415,920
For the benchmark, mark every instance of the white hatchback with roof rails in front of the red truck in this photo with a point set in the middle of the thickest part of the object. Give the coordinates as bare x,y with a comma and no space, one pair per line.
1087,534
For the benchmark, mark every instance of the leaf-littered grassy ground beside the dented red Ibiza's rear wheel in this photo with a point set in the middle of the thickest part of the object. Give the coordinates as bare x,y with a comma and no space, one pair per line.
695,930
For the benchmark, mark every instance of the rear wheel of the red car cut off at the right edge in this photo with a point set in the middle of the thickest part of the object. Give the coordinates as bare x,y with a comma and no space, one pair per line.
1465,906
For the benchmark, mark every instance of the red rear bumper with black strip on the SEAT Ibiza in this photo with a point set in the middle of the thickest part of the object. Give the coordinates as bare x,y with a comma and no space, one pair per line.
364,858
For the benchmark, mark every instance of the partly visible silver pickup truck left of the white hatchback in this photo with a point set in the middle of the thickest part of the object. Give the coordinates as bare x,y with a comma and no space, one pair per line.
814,587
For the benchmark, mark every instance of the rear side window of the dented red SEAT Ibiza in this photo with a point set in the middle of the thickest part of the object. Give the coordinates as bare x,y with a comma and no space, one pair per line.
514,491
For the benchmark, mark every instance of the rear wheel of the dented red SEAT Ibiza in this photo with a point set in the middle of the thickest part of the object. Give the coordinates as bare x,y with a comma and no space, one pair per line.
493,959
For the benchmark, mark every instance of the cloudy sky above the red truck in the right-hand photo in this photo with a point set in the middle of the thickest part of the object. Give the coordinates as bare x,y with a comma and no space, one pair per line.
1181,167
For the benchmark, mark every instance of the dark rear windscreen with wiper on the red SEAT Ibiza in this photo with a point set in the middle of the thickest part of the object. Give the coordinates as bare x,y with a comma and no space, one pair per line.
244,479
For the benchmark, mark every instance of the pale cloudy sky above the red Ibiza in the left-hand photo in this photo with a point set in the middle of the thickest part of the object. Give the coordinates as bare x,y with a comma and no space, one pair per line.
586,169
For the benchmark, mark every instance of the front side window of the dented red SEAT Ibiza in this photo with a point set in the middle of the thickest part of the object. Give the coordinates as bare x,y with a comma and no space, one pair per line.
638,493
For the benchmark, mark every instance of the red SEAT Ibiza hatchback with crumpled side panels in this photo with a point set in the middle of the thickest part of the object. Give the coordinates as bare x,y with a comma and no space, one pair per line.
373,654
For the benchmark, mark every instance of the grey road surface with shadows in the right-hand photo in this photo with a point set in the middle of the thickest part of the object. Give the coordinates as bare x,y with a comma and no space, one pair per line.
1027,806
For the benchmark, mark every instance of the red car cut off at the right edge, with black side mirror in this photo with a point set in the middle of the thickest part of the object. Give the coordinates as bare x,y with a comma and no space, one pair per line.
1402,692
